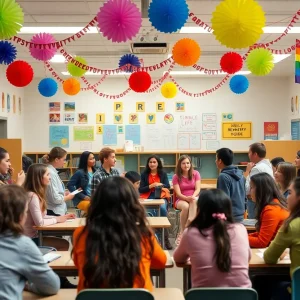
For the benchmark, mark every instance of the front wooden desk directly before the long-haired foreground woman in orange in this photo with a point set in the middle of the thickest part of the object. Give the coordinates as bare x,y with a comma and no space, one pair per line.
64,266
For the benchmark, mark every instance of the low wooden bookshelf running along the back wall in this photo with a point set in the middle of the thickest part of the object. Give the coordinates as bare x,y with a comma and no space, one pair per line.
203,161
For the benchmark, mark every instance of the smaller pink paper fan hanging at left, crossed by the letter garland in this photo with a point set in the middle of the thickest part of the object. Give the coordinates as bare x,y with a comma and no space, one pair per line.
43,54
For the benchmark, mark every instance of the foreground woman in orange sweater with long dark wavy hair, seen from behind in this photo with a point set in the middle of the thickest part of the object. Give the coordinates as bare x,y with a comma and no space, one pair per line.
116,248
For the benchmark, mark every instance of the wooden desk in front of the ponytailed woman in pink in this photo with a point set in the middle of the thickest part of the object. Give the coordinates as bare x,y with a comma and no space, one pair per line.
257,266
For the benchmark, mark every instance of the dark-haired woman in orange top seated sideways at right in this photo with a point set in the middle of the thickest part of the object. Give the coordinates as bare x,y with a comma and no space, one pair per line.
270,207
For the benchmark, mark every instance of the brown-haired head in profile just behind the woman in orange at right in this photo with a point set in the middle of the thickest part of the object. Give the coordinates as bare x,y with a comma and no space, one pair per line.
284,176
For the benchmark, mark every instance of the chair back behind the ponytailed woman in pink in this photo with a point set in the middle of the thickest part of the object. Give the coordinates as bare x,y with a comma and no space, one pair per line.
221,294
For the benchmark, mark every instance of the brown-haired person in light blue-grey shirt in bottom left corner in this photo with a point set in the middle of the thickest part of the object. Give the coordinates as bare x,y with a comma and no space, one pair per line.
20,259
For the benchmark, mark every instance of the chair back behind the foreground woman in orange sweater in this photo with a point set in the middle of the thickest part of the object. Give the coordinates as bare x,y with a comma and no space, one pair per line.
114,294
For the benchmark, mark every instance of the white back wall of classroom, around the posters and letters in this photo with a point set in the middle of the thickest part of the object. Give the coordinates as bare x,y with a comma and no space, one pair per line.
266,100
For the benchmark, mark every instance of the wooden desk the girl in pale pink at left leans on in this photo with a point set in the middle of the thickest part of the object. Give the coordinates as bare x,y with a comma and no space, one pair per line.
67,228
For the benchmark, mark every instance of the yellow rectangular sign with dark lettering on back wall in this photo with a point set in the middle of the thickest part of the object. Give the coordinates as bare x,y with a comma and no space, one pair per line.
237,130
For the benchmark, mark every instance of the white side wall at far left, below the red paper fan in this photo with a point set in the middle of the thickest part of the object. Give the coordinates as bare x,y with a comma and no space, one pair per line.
15,119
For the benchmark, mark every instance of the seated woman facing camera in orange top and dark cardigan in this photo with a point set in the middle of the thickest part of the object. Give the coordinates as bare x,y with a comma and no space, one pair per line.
154,177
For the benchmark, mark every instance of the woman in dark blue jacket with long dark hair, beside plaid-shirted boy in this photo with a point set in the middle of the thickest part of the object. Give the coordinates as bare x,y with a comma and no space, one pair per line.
83,177
